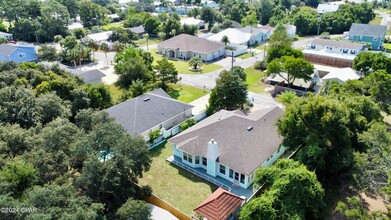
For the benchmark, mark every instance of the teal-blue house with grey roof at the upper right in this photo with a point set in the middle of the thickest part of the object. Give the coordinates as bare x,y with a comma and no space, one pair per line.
368,33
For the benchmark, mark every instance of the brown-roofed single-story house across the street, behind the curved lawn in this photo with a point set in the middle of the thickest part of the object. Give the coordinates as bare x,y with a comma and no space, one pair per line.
186,46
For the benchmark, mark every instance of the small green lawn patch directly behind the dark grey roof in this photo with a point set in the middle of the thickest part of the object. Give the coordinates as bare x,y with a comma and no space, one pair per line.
185,93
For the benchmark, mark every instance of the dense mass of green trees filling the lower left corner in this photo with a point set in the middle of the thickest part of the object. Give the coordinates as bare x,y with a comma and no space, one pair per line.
61,156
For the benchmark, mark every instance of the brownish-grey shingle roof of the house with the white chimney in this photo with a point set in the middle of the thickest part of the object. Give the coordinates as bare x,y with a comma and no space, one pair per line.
238,148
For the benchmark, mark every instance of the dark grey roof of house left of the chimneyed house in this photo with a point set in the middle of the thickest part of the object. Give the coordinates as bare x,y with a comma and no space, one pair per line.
144,112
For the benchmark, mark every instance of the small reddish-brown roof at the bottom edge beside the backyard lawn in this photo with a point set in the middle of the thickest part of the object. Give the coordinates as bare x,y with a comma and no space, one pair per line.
220,205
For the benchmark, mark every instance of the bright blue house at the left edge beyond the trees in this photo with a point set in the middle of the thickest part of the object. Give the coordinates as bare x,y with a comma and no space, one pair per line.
18,53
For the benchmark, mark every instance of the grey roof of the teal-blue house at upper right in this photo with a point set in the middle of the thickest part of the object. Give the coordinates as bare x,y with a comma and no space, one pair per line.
370,30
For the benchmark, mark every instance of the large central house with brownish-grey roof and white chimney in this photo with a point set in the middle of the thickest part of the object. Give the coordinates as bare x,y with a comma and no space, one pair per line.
231,144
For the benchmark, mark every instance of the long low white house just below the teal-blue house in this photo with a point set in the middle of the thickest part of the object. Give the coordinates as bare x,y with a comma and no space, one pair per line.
338,47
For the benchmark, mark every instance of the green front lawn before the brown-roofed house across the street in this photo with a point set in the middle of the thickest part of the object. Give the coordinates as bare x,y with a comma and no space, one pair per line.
183,67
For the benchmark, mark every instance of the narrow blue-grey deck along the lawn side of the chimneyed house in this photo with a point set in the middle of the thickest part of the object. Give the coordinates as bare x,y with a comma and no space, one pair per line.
223,183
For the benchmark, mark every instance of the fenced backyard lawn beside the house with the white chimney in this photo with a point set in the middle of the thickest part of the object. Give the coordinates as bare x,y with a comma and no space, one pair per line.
178,187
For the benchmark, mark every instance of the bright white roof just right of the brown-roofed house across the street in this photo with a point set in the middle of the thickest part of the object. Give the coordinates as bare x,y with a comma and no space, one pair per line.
234,35
